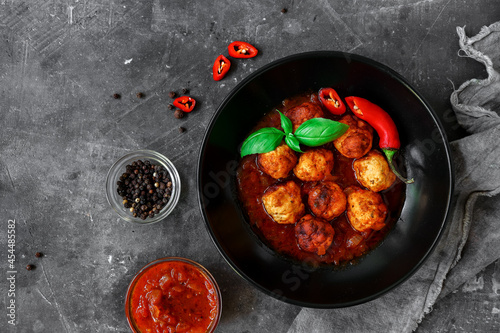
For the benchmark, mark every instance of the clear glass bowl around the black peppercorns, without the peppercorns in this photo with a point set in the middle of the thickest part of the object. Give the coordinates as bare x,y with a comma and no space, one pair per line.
119,167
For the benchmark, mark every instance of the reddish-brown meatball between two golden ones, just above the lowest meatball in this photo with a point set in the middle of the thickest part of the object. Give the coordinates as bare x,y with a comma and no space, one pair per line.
327,200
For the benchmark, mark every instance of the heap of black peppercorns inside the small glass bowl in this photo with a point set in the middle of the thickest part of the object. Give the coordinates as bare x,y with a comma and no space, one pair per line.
145,188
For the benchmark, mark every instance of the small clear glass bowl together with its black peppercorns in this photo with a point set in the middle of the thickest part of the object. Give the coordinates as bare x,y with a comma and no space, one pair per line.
143,187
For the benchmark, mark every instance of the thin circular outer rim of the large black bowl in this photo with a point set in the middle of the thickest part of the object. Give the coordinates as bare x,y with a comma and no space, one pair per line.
321,54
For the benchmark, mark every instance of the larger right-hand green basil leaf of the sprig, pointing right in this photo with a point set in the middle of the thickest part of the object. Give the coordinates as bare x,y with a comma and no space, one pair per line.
318,131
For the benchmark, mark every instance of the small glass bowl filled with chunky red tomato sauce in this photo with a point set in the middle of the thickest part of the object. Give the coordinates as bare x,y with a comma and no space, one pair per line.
173,295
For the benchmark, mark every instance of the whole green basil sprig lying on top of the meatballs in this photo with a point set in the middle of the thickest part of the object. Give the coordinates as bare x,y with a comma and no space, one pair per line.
313,132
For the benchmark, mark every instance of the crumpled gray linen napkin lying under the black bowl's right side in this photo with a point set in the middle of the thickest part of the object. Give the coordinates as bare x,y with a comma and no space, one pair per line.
477,173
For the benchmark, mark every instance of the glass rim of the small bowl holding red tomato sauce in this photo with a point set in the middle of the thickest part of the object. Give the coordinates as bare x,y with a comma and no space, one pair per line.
190,262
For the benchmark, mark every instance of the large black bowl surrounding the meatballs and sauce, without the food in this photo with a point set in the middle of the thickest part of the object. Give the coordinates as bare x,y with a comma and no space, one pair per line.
425,152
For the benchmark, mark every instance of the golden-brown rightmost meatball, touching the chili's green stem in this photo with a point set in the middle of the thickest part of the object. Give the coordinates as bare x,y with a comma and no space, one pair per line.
373,171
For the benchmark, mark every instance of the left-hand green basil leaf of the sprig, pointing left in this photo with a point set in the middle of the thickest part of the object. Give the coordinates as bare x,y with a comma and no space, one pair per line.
262,141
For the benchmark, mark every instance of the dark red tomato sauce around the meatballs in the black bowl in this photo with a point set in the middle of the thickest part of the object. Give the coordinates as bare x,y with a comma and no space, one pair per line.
348,243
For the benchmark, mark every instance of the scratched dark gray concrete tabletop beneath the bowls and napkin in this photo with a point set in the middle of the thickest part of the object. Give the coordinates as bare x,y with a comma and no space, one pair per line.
60,64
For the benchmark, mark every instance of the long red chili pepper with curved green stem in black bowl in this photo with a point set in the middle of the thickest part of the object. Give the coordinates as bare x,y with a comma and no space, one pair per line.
383,124
